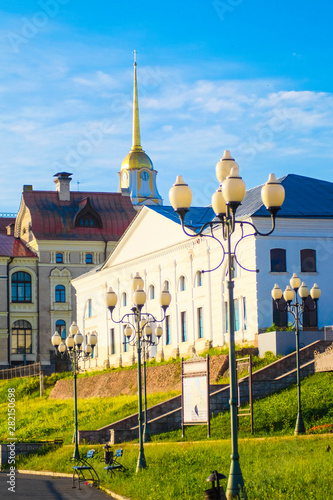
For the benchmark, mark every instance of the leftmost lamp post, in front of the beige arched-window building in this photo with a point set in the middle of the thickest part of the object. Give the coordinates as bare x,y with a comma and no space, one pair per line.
73,348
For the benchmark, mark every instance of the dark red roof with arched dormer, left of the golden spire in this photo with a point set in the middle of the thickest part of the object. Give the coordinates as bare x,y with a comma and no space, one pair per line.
54,219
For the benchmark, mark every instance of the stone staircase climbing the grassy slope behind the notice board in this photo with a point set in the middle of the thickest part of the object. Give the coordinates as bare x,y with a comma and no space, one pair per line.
166,416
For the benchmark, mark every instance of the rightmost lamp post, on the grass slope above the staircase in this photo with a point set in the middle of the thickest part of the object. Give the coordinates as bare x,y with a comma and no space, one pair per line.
296,308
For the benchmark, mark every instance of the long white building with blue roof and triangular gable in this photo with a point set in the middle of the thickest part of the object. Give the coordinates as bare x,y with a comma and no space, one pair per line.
155,246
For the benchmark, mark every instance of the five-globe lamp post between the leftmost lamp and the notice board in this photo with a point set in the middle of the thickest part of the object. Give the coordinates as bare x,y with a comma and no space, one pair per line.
138,331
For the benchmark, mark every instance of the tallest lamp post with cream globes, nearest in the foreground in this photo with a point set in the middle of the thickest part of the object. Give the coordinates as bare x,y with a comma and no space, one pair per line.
225,202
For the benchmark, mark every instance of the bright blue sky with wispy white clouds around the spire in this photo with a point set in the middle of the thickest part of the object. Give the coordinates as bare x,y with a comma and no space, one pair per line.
254,77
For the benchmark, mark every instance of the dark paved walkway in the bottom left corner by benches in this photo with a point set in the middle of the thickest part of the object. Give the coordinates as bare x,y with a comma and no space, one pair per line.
35,487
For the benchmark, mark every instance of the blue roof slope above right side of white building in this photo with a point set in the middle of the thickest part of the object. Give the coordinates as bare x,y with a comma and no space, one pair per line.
305,197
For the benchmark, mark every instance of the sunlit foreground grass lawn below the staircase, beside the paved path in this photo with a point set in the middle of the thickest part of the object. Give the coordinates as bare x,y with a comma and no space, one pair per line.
286,468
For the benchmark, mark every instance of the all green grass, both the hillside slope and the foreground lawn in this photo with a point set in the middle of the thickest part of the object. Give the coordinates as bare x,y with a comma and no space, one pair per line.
275,466
